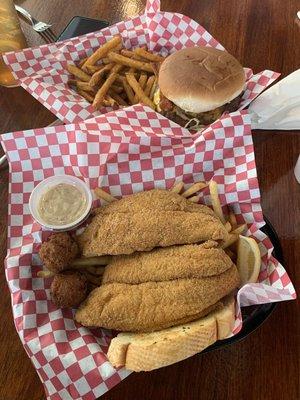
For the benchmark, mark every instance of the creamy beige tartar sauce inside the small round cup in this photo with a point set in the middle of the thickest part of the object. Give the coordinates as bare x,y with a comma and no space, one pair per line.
62,204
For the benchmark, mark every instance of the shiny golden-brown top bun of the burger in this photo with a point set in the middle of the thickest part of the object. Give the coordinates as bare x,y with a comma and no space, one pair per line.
200,79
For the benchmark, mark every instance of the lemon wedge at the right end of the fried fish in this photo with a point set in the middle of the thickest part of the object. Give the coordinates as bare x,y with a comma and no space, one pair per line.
248,260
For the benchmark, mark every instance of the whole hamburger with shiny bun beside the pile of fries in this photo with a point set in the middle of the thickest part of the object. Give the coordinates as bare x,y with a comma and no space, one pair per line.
197,85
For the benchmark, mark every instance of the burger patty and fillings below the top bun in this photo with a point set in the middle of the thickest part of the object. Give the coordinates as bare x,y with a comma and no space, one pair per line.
181,117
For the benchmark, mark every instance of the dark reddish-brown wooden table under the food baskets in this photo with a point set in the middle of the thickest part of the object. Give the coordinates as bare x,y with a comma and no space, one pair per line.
262,35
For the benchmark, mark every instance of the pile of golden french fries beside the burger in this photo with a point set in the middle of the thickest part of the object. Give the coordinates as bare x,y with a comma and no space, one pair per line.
114,76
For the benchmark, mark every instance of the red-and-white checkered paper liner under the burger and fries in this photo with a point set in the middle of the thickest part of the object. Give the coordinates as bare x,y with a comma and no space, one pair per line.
42,70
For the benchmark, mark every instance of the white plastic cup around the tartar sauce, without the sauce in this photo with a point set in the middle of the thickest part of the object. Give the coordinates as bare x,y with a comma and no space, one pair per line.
45,185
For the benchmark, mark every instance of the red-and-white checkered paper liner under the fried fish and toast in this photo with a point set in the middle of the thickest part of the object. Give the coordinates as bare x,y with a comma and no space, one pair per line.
125,151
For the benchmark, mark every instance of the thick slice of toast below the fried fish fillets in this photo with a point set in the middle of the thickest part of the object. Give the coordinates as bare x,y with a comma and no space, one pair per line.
148,351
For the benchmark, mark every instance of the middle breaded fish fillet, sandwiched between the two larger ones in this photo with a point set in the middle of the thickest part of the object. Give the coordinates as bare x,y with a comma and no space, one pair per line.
175,262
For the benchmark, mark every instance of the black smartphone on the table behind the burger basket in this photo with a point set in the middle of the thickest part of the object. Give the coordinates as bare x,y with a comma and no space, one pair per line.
80,26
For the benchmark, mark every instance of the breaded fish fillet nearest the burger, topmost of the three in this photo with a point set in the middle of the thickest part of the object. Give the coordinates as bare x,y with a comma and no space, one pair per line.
156,218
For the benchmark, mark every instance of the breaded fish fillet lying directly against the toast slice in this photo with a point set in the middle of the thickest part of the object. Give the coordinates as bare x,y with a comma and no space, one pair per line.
153,306
